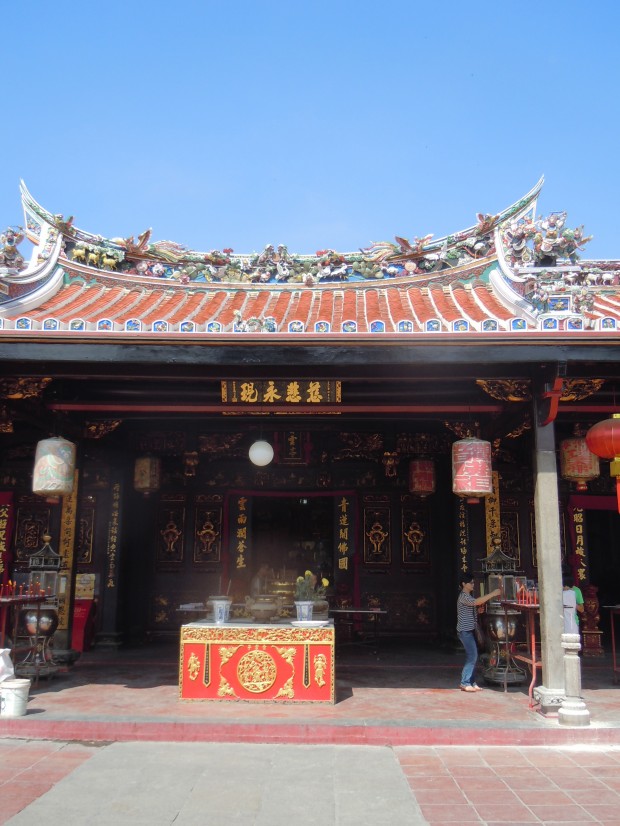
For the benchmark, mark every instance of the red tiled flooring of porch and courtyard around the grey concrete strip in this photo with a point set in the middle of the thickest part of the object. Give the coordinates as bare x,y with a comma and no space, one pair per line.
465,757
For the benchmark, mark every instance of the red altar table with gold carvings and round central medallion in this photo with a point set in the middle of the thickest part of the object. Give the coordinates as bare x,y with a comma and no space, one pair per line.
241,661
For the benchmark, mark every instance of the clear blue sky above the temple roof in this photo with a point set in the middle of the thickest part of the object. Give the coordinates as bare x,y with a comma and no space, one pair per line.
317,124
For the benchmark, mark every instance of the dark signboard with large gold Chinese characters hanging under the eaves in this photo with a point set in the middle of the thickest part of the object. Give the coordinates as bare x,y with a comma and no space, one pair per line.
293,393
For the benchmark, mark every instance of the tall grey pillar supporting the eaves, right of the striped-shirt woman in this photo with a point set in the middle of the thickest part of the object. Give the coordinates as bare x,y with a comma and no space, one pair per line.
547,521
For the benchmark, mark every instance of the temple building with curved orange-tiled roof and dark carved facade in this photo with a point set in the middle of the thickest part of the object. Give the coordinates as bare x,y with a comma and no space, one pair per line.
389,417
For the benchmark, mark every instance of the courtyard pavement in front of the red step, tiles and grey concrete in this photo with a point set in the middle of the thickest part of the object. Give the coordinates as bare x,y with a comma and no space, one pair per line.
492,785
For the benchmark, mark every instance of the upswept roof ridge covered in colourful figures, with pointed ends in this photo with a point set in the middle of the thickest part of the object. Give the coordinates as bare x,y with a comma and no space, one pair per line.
420,260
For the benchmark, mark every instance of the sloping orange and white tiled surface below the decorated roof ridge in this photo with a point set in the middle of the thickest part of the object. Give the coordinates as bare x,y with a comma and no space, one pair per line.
389,308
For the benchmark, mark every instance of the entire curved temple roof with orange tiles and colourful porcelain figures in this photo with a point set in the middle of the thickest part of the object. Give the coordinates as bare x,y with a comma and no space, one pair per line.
511,272
